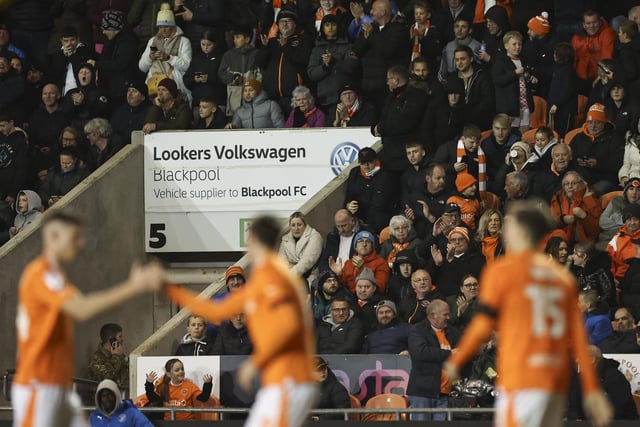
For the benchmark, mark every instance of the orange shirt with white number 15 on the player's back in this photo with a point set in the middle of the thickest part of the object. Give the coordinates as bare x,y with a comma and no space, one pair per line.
536,304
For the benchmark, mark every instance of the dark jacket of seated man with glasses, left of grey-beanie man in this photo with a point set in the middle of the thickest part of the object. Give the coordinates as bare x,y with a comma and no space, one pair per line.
344,338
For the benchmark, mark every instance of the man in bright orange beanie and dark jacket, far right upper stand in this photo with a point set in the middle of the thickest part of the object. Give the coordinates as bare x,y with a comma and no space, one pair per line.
597,154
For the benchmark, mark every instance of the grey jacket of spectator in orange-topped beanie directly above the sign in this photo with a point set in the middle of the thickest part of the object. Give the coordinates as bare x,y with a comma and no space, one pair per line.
261,113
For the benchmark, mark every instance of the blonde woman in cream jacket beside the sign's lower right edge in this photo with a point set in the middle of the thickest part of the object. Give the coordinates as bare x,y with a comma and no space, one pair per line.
301,247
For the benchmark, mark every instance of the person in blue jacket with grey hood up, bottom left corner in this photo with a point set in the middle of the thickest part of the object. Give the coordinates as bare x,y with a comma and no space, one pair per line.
111,410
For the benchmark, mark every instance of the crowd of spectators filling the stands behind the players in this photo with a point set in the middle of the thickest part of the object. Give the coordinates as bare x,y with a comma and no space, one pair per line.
477,103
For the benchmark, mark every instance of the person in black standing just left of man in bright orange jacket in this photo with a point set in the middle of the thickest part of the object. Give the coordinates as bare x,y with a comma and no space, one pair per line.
563,89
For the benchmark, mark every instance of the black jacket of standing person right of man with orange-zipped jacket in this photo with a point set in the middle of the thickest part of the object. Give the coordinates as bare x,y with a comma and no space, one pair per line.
330,79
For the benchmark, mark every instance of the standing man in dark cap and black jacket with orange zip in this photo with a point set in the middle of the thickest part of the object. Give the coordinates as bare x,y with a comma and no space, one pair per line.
284,59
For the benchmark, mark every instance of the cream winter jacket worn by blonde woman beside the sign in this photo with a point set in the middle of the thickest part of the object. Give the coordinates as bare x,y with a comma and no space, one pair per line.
302,254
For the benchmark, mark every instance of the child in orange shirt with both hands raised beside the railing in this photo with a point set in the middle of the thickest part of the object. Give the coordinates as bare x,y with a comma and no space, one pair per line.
173,390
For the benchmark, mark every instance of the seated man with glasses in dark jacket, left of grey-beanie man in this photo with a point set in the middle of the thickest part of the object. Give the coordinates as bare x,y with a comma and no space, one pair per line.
340,332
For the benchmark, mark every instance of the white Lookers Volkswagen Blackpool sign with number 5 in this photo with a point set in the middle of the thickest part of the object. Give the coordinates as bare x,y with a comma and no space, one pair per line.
203,187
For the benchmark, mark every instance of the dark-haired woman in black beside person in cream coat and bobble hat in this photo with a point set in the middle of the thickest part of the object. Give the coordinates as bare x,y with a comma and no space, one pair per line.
201,78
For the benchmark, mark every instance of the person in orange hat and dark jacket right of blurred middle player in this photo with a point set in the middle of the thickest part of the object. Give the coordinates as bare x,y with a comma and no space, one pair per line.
333,395
